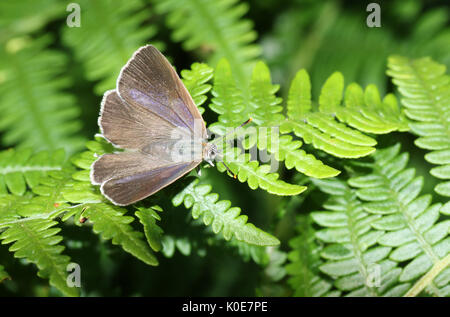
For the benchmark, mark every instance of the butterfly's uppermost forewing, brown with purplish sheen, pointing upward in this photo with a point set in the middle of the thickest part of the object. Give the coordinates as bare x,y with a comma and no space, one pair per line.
149,83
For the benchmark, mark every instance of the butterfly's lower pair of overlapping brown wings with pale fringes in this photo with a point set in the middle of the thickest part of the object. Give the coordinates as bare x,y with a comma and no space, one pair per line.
128,177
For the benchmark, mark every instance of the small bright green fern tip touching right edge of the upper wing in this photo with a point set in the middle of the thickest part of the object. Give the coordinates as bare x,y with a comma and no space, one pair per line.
196,80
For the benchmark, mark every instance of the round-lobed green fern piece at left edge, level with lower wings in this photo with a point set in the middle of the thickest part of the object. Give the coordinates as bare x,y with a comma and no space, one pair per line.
19,168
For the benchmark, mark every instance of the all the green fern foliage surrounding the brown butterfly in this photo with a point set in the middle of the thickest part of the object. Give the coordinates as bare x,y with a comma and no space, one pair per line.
343,218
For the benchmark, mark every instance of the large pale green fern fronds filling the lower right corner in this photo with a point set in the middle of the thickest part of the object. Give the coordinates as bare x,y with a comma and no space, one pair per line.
384,229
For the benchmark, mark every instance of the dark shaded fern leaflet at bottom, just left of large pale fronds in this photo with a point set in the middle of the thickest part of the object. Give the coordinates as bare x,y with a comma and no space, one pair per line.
304,261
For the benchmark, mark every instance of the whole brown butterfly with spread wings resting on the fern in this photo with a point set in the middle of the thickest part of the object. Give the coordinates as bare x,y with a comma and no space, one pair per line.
152,116
